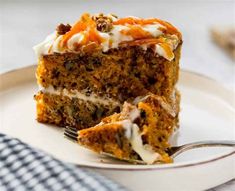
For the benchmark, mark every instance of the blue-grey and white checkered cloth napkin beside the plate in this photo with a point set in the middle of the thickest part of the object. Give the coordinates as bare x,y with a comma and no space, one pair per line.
25,168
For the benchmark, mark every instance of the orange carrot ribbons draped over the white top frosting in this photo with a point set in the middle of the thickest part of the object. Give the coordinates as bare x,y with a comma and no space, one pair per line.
87,27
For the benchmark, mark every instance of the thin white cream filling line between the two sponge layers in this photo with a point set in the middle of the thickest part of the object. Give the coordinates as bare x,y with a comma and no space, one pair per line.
76,94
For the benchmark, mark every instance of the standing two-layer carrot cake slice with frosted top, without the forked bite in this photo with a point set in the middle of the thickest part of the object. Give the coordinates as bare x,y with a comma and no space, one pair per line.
88,70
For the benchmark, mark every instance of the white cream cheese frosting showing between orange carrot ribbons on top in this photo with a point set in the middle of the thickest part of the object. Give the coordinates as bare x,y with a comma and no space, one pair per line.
111,39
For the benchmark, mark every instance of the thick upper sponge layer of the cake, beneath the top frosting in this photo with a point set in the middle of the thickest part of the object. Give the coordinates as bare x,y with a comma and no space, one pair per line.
121,74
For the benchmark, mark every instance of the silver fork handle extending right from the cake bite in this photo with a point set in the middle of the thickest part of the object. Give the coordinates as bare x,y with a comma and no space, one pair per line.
201,144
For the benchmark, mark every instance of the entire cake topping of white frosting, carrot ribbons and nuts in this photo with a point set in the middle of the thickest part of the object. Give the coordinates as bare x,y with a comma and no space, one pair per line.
107,32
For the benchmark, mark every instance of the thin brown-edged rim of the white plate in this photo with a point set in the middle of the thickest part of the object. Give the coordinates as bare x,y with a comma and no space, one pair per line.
131,167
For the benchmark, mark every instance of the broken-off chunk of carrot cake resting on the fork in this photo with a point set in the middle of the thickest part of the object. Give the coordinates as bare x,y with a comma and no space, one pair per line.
139,132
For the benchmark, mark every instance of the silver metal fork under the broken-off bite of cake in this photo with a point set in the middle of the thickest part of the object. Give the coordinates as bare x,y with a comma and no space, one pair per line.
72,134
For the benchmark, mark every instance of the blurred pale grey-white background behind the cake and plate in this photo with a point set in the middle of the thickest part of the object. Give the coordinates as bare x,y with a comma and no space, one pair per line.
24,23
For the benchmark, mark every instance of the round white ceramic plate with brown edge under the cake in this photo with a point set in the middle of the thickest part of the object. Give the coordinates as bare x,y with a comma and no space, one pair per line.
207,114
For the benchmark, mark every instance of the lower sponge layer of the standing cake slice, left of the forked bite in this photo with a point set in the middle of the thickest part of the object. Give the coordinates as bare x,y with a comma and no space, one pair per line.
62,108
